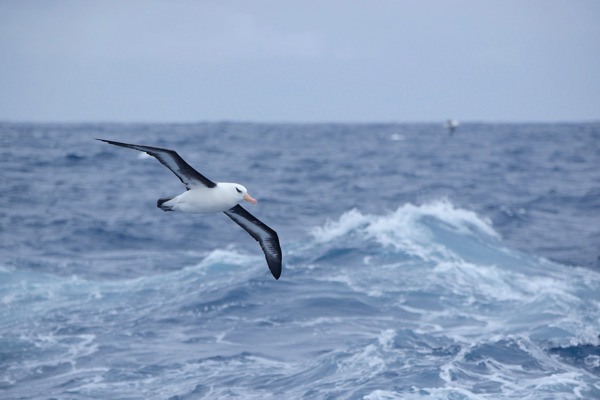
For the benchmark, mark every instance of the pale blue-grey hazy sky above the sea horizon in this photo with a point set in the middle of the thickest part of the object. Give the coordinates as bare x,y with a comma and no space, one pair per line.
301,61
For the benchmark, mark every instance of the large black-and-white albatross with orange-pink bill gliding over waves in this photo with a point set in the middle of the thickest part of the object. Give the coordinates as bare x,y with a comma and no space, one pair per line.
204,196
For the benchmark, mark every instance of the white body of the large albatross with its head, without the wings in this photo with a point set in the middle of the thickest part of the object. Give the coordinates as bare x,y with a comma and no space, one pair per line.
203,200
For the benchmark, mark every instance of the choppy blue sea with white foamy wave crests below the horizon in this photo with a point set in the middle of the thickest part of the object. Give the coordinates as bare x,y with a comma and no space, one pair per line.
417,265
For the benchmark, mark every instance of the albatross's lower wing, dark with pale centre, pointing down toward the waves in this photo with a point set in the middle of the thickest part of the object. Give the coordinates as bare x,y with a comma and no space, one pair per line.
267,237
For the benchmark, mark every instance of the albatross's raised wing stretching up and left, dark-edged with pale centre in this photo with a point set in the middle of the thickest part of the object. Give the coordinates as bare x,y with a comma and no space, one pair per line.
170,159
